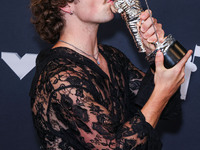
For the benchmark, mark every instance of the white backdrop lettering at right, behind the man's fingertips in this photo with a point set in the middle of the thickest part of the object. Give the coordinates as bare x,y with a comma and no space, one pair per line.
189,68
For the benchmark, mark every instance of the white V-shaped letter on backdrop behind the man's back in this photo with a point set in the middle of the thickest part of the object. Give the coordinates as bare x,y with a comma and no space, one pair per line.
20,65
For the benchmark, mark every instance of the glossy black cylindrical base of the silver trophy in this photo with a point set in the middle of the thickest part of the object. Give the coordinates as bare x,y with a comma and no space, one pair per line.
172,55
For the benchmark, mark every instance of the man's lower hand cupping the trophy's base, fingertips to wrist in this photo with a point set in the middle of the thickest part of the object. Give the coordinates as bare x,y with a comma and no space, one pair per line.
169,80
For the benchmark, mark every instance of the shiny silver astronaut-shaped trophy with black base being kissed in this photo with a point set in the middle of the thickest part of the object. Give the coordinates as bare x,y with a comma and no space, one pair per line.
172,50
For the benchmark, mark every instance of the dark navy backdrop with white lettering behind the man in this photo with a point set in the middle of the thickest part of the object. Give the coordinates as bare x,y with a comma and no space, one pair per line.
20,44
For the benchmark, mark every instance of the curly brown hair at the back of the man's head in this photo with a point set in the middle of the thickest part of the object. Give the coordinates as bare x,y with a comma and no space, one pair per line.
47,18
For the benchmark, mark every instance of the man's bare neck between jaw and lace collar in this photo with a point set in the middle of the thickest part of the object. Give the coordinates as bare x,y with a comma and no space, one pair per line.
82,35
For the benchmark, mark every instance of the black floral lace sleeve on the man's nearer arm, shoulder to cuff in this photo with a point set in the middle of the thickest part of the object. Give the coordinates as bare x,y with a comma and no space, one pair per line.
68,117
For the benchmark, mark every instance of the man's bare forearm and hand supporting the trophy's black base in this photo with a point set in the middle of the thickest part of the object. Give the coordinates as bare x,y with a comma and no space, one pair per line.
167,81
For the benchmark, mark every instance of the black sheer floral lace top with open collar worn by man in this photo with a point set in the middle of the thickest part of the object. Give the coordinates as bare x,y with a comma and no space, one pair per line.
76,106
